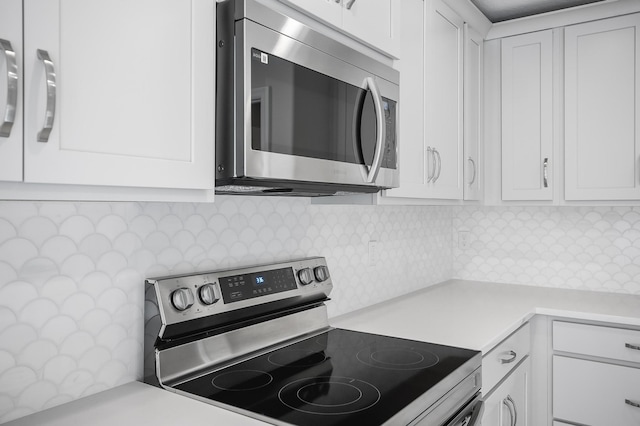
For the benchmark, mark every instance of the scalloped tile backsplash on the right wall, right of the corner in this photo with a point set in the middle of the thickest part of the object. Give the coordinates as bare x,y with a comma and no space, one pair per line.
583,248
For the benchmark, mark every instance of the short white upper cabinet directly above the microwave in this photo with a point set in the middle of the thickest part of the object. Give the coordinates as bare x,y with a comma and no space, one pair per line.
375,22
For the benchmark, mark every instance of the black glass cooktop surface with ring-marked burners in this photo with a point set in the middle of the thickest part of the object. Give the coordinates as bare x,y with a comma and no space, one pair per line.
340,377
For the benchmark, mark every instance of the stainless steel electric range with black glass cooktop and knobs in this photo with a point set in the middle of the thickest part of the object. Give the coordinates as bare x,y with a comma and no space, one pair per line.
257,341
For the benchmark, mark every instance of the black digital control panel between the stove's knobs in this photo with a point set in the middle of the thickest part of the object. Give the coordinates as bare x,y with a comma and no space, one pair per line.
248,286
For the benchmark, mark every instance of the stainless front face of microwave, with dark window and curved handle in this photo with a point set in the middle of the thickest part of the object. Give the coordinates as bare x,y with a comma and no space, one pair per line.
305,115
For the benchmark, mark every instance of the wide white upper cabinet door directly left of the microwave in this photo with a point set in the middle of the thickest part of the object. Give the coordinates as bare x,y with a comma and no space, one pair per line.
133,96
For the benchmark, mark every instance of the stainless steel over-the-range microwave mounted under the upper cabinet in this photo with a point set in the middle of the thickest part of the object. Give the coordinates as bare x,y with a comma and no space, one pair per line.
298,113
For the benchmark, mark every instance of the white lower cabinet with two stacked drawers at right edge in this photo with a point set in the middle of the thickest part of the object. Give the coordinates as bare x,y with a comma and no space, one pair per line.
596,375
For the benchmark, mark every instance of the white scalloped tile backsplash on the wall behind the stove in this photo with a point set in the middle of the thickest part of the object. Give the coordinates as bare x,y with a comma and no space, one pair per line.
72,275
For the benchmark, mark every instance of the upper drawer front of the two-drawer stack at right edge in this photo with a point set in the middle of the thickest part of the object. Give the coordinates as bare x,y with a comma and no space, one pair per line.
605,342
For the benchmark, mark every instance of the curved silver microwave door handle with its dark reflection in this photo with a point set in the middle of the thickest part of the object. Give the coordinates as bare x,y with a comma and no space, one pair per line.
368,130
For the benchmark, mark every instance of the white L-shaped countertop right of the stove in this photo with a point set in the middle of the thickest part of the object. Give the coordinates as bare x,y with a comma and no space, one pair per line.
478,315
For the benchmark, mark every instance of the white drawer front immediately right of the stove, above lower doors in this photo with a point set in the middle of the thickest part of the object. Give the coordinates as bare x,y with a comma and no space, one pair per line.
503,358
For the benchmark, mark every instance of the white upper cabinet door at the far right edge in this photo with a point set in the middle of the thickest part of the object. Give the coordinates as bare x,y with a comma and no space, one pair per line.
602,140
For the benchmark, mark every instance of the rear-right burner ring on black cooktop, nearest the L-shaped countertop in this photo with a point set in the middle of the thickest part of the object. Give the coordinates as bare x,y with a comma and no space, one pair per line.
397,358
